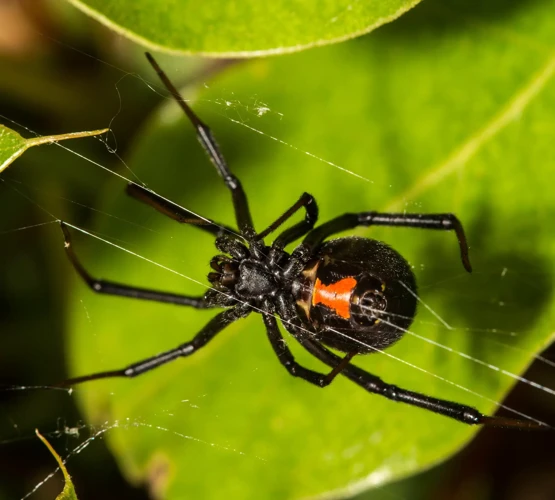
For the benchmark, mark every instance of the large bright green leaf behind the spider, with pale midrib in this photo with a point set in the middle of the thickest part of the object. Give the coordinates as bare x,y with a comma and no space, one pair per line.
439,116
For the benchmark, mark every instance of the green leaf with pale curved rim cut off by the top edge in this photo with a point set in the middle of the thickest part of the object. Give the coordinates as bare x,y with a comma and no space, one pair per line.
246,28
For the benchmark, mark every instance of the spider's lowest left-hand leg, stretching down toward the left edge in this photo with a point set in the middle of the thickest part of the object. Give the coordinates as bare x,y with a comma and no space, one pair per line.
213,327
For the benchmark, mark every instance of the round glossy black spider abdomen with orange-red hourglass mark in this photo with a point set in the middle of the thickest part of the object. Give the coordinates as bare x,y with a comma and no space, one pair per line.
359,295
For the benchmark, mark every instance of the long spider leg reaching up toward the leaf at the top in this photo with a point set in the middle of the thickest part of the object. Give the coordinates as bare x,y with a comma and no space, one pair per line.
205,137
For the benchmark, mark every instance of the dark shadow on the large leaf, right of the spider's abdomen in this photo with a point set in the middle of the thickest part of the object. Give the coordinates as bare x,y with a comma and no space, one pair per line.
509,288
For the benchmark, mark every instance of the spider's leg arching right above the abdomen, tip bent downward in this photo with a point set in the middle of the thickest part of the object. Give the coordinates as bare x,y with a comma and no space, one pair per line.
441,222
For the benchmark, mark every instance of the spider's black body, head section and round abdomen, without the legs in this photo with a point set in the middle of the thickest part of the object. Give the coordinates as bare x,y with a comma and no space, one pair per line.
354,294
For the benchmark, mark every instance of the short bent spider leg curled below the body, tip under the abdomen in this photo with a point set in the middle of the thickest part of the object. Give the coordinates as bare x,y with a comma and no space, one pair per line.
286,358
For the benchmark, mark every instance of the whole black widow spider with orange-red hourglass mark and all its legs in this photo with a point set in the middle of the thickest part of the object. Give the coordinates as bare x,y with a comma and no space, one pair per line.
355,295
